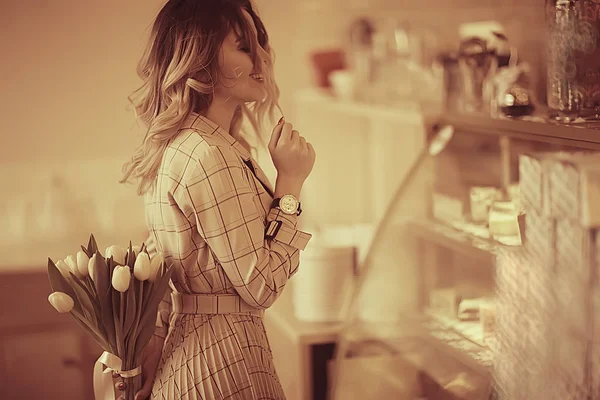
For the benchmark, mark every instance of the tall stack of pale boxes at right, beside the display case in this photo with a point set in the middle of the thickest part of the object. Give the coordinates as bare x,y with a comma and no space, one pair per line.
553,281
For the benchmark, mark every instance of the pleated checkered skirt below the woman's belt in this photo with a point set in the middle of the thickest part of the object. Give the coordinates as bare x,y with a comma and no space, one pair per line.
217,357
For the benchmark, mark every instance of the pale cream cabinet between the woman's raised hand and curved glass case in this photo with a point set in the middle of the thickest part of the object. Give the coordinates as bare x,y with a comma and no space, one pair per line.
362,155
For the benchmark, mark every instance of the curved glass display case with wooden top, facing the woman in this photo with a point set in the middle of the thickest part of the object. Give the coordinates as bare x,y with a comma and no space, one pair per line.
420,348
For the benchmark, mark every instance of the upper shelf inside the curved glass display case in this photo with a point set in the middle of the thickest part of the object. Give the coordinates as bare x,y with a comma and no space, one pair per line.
453,239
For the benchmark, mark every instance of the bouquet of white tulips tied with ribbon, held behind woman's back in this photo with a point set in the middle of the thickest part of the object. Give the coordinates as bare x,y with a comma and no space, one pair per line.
114,298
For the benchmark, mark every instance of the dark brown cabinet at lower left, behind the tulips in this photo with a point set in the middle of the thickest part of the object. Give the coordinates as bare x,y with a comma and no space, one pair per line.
43,354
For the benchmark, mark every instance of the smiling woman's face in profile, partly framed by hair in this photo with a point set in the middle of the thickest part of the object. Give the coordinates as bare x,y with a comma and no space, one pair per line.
240,81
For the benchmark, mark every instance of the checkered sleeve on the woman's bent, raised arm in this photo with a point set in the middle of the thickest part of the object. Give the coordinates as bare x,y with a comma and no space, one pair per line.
217,195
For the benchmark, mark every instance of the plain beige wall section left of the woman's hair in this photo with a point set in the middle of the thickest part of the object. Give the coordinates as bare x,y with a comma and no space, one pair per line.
67,69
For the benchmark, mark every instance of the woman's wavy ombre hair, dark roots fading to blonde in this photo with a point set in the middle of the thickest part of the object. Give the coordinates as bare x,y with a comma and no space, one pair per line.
180,69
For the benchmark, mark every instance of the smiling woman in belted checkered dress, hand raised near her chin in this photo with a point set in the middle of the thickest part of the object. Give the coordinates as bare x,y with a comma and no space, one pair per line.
210,209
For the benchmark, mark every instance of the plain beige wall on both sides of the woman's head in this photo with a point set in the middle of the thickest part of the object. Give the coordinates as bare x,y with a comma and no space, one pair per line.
68,66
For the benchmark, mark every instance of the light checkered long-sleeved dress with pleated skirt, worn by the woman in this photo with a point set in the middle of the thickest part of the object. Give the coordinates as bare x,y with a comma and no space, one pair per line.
208,217
